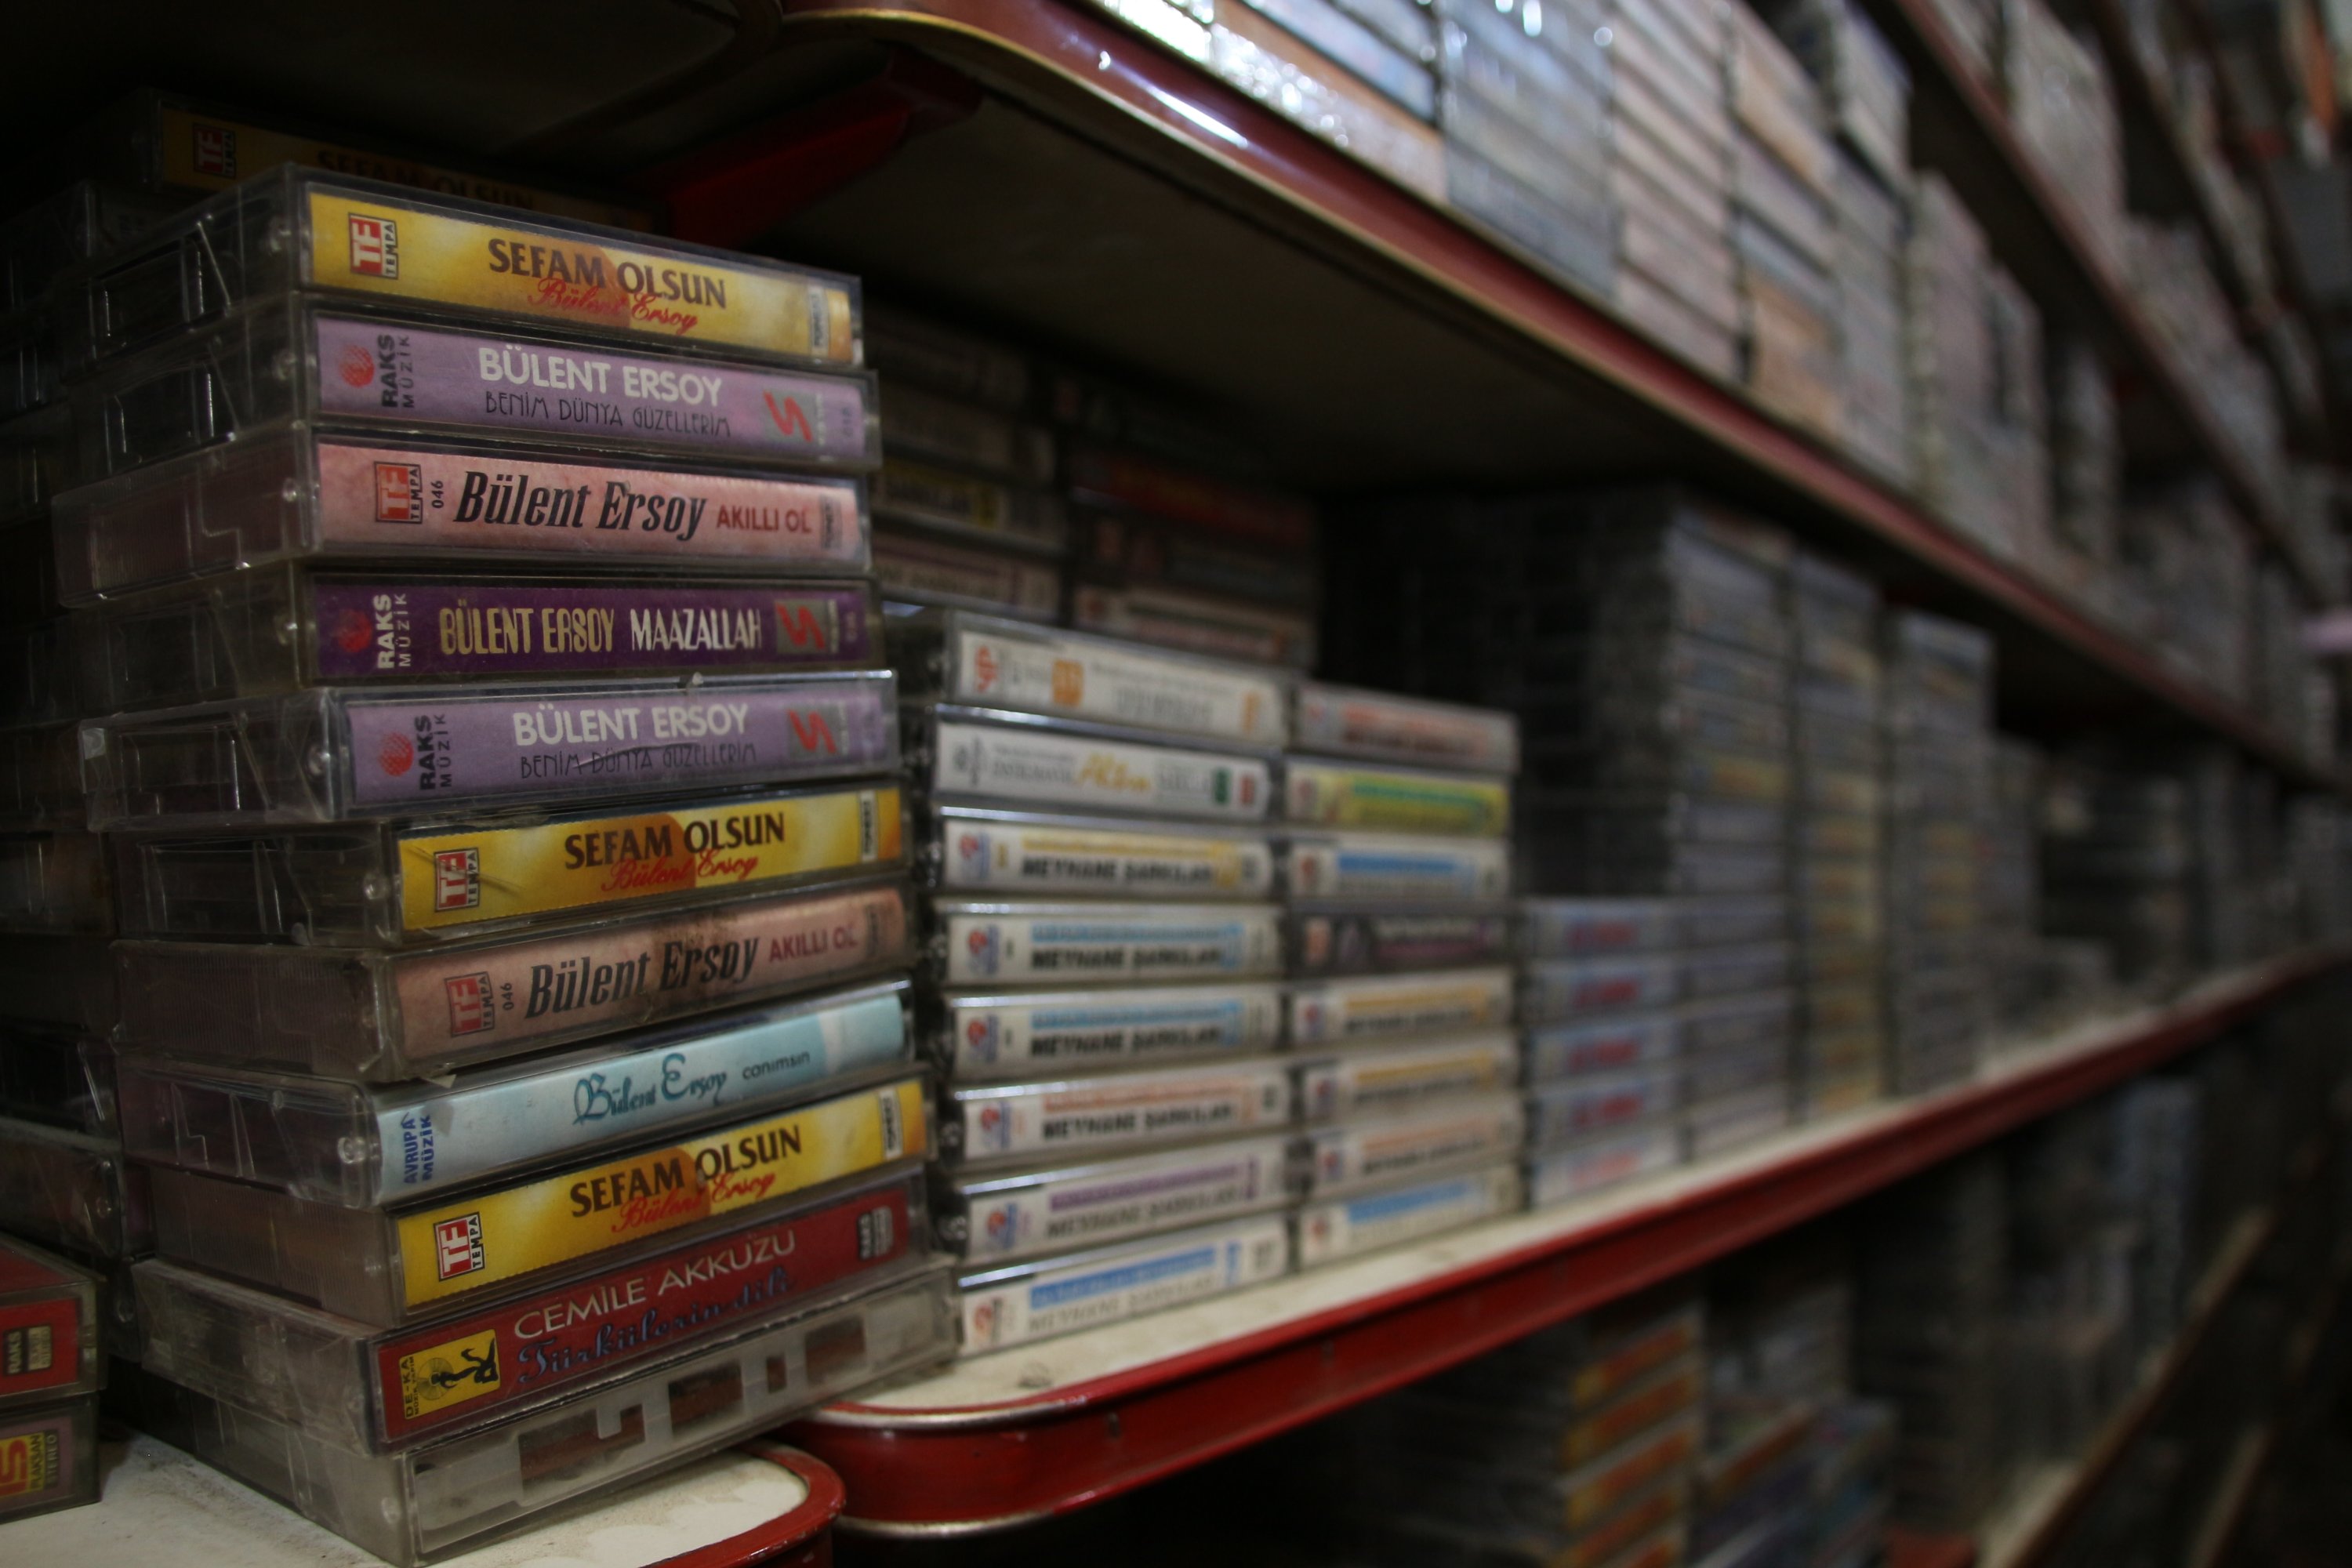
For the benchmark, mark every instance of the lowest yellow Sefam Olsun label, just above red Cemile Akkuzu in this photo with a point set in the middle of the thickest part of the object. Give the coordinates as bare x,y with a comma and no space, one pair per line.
495,1238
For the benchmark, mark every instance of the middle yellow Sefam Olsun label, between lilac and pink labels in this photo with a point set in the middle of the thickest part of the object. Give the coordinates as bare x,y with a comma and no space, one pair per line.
500,873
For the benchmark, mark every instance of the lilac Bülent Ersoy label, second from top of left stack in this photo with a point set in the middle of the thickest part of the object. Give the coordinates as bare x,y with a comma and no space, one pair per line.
382,370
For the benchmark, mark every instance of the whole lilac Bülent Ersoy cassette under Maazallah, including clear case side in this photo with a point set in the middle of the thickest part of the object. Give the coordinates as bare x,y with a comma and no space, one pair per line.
345,753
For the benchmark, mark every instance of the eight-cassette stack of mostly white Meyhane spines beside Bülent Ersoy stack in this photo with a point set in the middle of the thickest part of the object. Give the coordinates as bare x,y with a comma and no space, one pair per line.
1104,960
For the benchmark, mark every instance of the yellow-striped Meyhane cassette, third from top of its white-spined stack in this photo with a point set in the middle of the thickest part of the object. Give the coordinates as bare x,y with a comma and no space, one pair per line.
975,850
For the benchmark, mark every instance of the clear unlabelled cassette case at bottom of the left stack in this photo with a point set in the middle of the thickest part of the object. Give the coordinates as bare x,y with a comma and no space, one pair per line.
439,1496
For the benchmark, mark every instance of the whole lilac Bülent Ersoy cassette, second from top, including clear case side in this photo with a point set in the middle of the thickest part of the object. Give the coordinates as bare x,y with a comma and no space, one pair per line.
265,370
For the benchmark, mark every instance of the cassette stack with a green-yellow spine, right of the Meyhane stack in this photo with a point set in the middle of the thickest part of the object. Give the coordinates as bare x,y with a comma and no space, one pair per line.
1398,871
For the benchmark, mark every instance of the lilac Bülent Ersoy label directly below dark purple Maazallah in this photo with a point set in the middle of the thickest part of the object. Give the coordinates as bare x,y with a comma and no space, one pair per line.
427,753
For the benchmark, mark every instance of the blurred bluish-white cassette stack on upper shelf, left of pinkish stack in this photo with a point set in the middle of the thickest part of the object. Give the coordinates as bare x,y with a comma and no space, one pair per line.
1525,109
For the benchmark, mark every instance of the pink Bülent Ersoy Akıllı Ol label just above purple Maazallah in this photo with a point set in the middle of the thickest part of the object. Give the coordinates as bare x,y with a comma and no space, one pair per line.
415,500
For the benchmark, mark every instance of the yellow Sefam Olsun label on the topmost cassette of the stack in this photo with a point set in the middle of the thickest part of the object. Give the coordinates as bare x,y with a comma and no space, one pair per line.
457,260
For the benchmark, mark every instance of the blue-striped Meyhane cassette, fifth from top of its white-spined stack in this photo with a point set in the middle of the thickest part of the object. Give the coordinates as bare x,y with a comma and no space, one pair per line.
1024,1033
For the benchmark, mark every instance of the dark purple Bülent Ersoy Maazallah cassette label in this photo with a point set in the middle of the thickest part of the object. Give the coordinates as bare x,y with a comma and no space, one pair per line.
406,631
